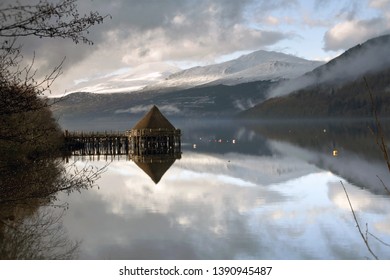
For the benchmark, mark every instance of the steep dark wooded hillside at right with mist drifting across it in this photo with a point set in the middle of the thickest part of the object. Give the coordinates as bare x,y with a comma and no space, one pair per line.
336,89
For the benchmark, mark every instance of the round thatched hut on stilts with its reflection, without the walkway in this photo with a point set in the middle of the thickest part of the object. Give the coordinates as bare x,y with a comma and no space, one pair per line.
155,144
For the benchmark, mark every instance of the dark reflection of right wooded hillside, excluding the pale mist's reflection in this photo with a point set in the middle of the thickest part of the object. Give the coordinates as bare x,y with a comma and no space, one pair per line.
354,137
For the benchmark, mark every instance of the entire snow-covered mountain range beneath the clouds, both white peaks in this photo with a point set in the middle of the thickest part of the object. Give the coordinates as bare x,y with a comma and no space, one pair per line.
256,66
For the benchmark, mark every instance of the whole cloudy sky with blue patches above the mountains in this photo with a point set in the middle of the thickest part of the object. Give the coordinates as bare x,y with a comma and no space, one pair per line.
187,33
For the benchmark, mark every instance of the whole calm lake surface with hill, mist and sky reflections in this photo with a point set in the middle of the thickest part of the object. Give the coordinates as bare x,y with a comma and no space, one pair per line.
240,191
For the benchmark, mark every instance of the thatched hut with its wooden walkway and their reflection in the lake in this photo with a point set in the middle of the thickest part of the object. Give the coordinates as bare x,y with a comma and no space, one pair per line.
153,144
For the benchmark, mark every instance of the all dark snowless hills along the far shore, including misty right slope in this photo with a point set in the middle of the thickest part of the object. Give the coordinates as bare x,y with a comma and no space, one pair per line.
322,96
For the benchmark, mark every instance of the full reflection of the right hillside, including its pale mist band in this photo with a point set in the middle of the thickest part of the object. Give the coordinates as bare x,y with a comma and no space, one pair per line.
358,159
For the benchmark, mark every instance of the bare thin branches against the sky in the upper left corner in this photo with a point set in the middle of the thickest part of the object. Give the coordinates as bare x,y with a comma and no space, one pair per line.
43,20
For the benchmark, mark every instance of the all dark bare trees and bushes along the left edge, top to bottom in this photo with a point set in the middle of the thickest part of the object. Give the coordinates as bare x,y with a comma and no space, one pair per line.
31,169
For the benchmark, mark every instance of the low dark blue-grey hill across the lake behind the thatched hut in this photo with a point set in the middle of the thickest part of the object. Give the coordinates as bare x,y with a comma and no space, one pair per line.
217,101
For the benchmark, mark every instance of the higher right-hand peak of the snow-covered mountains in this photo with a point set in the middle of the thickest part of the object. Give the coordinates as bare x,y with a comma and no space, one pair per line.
257,66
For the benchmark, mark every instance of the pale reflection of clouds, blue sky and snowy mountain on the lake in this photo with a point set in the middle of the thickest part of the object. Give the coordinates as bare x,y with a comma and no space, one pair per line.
206,207
